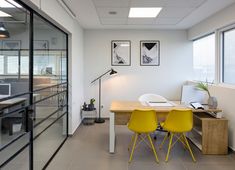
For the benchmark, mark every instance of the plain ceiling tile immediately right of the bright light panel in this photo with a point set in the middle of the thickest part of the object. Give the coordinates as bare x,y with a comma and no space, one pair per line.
170,12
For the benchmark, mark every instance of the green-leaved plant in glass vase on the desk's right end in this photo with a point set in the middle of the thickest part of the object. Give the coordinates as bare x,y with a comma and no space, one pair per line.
212,101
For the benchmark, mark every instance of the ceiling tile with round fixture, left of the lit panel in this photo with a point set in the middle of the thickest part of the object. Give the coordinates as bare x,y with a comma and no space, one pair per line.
121,12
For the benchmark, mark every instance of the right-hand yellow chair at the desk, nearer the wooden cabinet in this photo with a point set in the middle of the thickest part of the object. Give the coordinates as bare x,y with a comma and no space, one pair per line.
177,123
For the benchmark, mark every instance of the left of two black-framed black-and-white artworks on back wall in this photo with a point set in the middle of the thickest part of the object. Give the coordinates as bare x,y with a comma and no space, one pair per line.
121,53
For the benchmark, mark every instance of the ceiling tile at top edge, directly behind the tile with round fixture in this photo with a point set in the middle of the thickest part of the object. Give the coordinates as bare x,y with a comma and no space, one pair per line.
111,3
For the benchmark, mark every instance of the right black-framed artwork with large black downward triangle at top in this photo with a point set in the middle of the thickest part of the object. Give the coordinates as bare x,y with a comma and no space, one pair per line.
149,53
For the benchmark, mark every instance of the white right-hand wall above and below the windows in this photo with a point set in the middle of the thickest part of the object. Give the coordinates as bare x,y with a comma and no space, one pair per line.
224,94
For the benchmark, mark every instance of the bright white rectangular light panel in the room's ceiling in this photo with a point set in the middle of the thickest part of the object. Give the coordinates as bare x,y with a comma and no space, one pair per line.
144,12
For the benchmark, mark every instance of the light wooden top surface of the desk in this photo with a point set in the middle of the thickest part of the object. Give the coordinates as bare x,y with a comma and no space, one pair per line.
129,106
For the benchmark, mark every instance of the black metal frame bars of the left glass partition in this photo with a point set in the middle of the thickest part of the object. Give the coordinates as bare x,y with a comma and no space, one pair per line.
28,108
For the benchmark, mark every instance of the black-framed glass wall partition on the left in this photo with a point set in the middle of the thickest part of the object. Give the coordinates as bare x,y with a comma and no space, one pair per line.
33,88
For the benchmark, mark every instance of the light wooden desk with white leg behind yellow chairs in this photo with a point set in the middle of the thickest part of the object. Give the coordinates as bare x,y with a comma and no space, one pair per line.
120,112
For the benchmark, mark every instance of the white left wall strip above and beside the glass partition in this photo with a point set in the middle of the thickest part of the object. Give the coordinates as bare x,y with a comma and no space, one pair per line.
59,16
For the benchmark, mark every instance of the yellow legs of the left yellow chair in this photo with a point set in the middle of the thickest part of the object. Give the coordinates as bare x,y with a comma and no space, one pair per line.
136,136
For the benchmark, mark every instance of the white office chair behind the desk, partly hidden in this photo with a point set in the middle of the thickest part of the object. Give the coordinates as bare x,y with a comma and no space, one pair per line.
153,98
